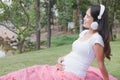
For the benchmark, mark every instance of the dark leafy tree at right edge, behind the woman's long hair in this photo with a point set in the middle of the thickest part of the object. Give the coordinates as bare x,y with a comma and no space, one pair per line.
113,6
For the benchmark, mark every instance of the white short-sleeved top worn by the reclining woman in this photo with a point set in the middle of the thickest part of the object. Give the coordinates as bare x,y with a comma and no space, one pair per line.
82,54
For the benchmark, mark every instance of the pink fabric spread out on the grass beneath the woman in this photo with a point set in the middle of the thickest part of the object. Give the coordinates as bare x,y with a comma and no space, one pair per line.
46,72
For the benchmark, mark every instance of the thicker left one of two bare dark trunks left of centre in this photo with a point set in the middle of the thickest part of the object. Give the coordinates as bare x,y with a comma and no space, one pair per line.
38,28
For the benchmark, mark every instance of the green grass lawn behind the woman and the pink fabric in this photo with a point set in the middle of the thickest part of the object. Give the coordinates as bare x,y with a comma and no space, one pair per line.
50,56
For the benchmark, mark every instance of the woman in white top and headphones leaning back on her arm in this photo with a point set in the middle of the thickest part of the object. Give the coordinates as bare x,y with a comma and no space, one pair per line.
95,41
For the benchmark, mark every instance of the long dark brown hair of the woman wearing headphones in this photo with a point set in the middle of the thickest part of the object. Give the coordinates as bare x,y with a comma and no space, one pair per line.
103,28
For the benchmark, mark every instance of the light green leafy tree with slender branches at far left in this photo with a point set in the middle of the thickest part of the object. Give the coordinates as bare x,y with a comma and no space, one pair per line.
17,14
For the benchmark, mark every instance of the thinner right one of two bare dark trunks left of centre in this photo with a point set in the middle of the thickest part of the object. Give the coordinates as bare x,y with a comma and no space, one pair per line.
49,24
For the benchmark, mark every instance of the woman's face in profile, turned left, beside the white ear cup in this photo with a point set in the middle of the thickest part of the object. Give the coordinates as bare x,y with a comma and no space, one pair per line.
88,19
